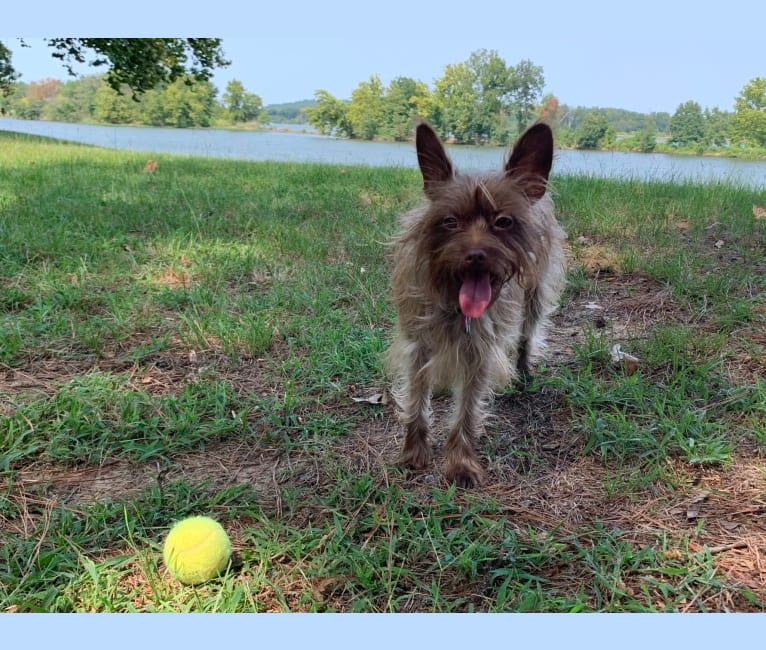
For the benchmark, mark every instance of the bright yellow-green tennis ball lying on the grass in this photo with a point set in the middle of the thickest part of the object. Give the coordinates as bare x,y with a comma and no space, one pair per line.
196,550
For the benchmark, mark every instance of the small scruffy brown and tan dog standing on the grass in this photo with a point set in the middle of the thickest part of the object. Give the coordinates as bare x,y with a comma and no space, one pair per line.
477,271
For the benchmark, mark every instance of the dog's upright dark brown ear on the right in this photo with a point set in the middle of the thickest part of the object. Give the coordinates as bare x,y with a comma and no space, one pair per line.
531,159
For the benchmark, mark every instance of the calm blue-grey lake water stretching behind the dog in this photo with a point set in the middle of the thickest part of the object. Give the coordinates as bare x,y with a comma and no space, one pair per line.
308,146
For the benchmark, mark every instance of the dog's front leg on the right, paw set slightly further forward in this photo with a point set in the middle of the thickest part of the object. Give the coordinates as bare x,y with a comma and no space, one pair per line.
462,465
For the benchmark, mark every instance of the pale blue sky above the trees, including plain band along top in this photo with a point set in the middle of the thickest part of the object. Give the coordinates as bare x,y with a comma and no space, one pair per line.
643,56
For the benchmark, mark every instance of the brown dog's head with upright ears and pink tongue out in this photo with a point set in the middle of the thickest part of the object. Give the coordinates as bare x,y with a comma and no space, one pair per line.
478,231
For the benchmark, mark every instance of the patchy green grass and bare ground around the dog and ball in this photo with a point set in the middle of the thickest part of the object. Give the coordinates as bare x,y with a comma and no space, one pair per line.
193,341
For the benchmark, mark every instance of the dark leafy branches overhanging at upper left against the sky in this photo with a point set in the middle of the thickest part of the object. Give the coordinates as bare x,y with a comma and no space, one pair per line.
138,63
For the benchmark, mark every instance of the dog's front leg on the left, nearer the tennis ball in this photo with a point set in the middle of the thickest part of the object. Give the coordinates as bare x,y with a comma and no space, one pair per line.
416,416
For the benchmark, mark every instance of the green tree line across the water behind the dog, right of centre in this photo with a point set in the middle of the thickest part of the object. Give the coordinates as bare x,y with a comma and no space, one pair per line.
484,100
